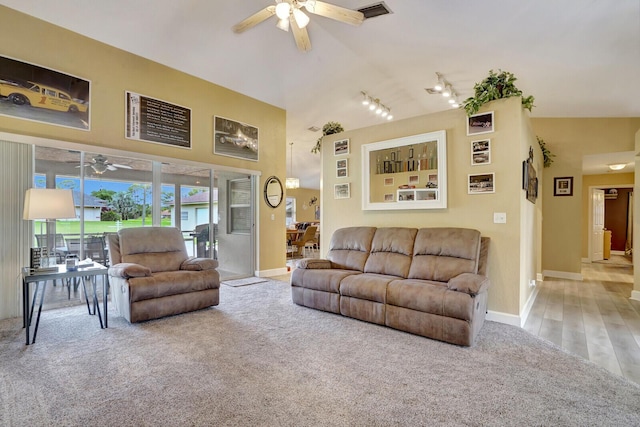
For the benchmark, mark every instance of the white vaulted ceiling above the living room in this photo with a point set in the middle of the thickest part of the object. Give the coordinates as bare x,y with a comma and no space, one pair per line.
579,58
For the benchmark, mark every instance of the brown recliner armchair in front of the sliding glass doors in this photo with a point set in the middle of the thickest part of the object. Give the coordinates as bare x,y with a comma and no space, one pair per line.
152,276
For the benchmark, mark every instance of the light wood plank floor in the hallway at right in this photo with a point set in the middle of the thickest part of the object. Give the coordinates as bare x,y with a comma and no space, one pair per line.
593,318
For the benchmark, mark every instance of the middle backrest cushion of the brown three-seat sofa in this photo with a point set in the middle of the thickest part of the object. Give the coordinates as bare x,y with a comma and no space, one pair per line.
391,251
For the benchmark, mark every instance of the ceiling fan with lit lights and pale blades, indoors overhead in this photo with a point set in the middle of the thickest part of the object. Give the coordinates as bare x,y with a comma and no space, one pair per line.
290,14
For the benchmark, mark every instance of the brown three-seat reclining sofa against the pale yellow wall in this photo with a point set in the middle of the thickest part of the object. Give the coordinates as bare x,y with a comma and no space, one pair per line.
429,281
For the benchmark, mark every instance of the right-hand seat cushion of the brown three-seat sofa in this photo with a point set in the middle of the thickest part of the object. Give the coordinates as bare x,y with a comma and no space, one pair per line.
430,297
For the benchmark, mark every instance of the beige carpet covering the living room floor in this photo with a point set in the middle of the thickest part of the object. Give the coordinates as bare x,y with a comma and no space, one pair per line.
259,360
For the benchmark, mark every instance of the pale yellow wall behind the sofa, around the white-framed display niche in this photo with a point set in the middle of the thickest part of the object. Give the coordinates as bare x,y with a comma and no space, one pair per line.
509,147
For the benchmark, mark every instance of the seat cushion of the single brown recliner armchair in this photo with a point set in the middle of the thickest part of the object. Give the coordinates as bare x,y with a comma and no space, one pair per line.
168,283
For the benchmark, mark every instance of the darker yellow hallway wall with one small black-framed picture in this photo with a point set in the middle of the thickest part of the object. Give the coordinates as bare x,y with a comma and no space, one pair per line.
570,140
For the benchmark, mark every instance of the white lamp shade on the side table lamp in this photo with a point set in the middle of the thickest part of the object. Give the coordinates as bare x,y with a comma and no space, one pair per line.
48,203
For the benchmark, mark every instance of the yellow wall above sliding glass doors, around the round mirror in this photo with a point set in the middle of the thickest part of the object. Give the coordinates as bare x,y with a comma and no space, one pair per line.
112,72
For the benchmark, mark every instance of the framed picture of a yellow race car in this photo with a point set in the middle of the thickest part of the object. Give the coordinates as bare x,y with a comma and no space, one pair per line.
43,95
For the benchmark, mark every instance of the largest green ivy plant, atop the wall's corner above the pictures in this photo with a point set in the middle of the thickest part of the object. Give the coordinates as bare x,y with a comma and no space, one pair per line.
495,86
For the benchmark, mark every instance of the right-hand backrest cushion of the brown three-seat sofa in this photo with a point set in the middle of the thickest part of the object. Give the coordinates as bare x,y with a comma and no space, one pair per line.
442,253
